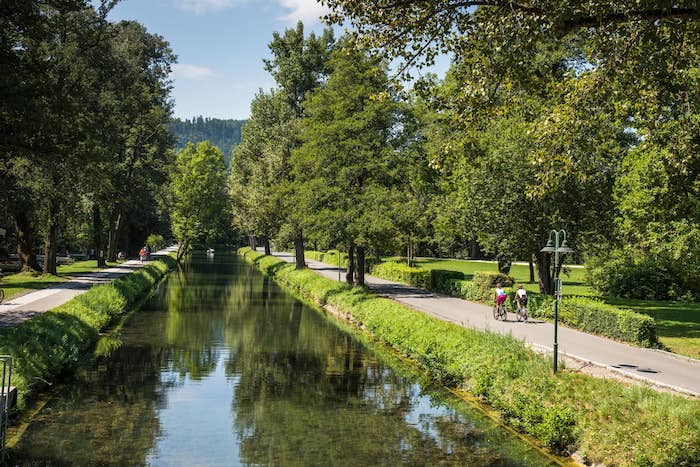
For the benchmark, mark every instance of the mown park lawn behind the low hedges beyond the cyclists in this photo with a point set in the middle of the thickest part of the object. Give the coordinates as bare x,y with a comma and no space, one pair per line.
677,322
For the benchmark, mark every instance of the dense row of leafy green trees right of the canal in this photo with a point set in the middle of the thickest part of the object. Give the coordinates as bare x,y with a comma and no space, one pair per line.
550,116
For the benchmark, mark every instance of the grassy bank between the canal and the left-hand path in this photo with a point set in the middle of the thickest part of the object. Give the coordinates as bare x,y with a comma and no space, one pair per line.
51,344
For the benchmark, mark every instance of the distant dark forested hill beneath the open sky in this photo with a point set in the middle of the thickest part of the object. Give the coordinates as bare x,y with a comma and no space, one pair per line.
224,134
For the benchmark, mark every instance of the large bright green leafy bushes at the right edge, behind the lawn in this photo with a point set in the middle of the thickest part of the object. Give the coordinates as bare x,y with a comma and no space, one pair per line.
657,256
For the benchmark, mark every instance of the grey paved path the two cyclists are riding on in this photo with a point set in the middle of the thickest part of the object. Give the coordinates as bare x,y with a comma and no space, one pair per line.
657,367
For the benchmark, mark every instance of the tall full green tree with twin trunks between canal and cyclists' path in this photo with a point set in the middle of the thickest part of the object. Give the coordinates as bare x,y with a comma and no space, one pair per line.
346,168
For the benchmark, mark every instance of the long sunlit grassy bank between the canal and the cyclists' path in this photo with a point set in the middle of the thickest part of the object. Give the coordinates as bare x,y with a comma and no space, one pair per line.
604,421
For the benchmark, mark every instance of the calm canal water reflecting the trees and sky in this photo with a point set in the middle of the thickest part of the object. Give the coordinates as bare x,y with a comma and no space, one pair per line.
223,367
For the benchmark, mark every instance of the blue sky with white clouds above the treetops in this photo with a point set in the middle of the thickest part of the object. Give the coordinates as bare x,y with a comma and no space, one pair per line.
220,45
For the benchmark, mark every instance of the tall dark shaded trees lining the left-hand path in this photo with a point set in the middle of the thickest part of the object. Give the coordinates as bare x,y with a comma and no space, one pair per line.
85,148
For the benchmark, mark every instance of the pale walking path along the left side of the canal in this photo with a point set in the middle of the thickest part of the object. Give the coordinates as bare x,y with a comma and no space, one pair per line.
17,309
